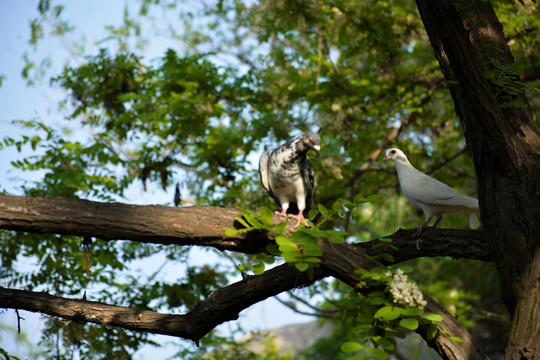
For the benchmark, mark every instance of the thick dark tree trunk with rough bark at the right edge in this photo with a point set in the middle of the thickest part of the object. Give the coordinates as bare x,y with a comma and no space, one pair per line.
505,147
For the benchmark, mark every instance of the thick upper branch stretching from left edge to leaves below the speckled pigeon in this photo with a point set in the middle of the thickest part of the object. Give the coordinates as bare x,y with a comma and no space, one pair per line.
197,225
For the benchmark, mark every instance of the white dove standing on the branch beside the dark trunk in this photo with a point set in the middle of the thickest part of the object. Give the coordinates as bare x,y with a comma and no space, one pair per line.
429,194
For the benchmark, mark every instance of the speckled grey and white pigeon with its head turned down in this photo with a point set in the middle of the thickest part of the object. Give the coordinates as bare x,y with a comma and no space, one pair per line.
287,175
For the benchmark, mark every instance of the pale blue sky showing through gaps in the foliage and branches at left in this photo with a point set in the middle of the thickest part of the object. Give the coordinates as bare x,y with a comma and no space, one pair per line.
18,101
